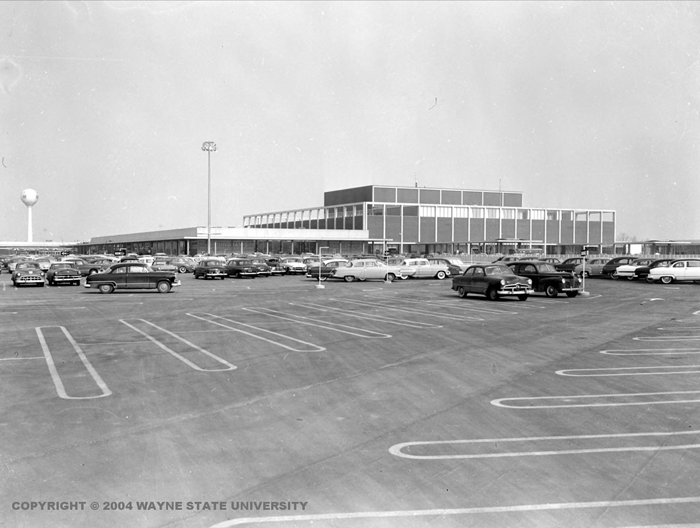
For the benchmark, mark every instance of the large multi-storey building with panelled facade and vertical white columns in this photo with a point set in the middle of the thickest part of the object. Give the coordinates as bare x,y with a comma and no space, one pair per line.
430,220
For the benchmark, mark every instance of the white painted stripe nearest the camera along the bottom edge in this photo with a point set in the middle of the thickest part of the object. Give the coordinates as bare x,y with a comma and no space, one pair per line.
456,511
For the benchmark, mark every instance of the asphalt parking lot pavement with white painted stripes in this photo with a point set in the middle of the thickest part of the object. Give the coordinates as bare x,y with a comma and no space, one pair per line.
365,404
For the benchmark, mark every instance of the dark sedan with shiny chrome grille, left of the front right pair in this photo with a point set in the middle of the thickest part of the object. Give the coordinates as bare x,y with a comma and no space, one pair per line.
493,281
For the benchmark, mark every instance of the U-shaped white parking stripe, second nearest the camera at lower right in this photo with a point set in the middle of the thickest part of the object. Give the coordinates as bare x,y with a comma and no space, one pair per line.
397,450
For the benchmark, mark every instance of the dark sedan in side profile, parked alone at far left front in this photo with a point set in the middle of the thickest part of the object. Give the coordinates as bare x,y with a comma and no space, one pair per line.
132,276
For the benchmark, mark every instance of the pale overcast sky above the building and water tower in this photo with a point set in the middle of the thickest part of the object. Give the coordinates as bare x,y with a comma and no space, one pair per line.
104,107
